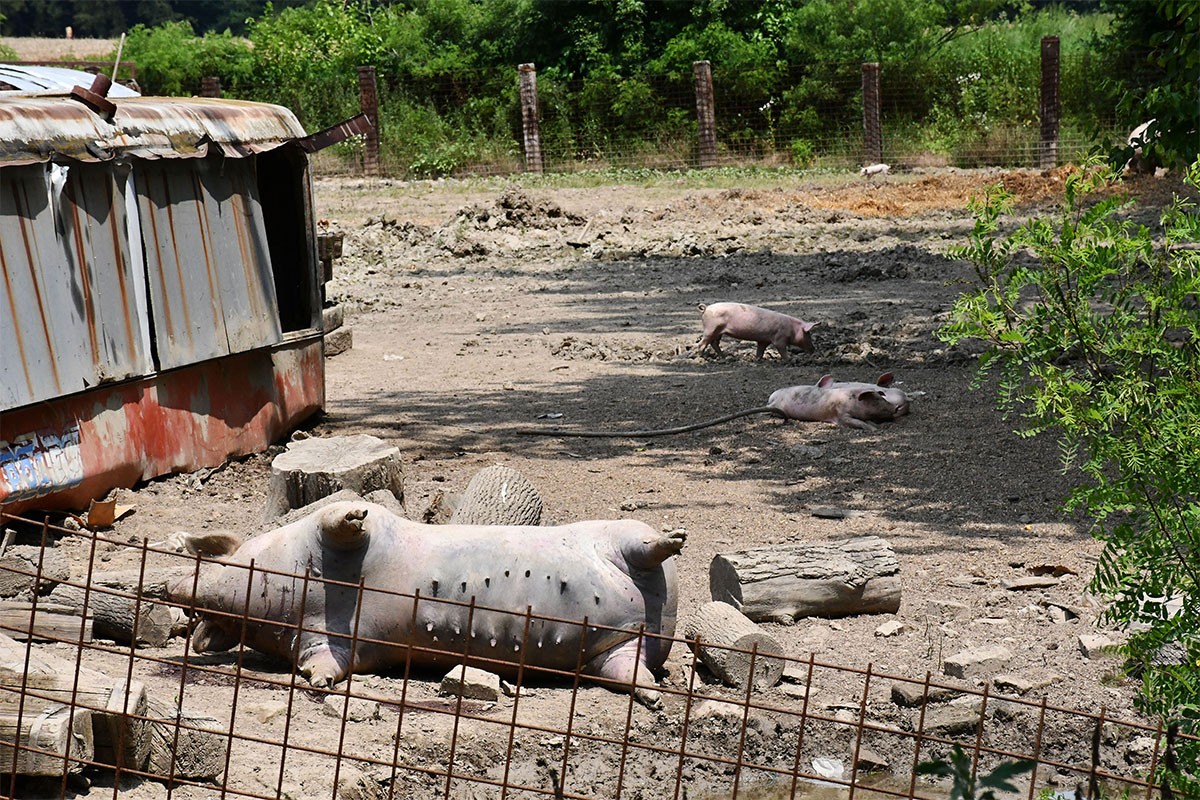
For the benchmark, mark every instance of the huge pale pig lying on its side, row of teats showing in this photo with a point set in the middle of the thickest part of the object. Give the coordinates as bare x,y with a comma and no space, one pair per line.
616,574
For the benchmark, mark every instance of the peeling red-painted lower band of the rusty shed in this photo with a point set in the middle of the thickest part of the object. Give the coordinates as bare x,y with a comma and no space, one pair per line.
184,420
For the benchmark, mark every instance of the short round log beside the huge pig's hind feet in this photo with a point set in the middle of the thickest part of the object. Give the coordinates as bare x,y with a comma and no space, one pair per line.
727,642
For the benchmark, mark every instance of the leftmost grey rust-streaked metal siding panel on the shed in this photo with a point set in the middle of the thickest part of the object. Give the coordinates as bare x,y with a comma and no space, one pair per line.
70,293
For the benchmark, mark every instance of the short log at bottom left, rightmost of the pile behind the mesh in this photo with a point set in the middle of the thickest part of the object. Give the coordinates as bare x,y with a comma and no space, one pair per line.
184,744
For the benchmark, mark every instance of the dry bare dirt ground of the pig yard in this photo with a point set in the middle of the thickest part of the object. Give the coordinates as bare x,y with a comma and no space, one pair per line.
477,309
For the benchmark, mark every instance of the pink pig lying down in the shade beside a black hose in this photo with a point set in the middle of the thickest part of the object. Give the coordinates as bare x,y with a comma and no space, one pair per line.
849,405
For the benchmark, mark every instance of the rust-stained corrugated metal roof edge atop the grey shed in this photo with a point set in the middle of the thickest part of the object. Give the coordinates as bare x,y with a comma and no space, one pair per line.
37,129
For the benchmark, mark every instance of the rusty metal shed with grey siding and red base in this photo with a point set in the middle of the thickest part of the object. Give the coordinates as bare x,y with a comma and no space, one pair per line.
160,308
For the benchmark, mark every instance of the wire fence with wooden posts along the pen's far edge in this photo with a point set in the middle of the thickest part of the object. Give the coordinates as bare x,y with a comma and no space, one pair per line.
1045,111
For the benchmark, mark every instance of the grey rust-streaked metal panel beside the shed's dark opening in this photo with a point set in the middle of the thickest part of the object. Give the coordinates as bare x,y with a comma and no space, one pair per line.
209,269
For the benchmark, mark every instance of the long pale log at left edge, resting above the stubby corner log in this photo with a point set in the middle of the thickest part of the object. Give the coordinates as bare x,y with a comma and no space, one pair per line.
117,707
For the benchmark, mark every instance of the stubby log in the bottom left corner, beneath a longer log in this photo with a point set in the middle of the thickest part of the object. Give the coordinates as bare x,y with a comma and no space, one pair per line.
52,742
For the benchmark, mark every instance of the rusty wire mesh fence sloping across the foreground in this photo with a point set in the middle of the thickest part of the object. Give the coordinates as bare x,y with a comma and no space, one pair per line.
105,695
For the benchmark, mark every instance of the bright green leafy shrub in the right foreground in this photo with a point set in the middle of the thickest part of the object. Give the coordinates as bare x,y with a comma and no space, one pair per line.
1093,324
